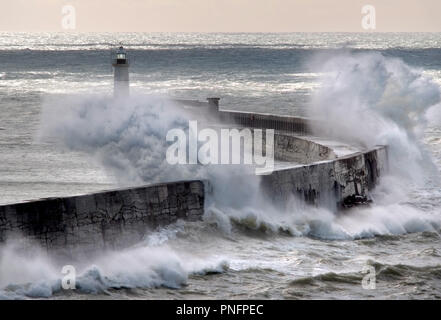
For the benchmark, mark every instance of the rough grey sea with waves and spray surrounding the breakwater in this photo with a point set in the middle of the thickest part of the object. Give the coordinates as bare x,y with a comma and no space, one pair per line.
60,135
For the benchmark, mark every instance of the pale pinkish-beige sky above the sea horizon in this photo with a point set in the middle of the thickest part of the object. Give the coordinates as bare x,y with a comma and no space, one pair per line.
218,15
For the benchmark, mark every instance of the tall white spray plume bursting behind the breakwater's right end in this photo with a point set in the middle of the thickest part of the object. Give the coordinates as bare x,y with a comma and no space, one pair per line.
369,99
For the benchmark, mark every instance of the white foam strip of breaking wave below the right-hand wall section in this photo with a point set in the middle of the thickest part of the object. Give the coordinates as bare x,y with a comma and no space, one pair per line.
362,222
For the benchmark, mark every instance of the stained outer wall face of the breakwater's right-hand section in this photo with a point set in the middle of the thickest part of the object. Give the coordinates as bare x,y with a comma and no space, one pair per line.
328,183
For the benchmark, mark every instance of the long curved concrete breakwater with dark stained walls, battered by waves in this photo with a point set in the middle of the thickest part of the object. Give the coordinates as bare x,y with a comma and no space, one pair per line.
306,167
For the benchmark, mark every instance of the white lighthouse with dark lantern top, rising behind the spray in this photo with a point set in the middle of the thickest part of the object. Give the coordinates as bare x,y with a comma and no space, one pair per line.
120,63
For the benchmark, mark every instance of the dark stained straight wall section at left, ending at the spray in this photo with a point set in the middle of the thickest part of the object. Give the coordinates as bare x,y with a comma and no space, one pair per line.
102,220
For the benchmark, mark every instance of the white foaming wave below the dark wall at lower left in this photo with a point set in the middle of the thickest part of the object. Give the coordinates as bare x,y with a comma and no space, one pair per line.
38,276
